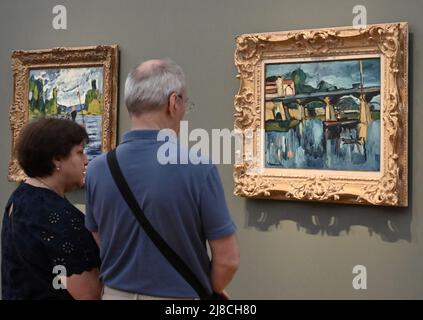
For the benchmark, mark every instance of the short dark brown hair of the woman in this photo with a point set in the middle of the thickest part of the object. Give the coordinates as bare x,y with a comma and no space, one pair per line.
45,140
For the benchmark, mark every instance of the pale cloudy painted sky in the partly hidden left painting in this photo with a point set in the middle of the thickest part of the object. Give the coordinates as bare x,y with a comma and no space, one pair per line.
68,81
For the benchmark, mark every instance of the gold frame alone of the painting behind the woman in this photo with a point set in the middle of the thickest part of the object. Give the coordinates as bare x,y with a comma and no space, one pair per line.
24,61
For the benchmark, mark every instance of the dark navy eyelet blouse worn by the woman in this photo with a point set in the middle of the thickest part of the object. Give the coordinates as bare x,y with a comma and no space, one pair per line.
43,231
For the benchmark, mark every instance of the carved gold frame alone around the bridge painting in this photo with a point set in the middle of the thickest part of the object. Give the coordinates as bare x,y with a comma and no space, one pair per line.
387,187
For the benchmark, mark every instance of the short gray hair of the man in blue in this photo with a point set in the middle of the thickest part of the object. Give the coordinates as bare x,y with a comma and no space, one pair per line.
148,88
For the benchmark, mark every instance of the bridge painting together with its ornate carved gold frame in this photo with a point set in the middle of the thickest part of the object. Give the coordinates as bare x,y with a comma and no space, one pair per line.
323,115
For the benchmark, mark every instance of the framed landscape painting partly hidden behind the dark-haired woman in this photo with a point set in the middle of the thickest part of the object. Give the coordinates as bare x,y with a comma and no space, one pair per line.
78,84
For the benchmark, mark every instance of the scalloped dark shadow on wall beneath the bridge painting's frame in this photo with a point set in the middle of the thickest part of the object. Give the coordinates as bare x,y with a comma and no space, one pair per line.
391,224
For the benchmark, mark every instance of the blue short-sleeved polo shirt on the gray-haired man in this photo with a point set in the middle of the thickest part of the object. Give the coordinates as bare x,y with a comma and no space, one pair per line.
184,202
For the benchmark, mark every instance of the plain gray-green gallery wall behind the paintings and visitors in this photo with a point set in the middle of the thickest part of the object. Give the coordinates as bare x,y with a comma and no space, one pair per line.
289,249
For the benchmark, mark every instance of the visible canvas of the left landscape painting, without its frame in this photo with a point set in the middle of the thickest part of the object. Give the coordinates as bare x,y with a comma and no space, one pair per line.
70,93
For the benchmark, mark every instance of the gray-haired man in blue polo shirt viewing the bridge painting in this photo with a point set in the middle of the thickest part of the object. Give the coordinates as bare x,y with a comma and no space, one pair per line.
185,203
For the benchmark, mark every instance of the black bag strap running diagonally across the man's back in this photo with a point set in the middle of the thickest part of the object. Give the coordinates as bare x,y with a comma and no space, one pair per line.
161,244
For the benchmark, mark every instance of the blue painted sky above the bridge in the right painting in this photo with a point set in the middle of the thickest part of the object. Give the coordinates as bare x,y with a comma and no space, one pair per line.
339,73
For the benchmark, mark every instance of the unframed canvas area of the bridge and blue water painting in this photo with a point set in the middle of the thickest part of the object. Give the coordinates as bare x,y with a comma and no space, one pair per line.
323,115
